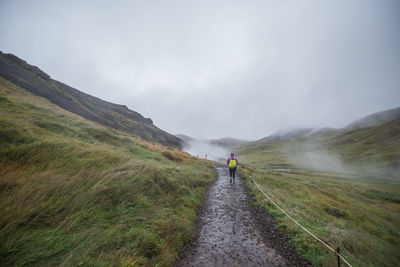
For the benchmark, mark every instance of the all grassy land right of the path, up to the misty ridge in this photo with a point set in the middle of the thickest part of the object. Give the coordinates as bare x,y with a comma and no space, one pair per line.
343,185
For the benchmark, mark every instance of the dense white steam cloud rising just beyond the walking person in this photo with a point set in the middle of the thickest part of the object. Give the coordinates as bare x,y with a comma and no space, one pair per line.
201,148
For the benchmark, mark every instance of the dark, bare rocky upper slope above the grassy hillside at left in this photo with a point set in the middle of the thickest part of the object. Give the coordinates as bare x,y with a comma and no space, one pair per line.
92,108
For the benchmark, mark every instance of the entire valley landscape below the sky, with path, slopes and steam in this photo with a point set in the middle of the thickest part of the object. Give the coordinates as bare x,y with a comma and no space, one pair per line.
88,182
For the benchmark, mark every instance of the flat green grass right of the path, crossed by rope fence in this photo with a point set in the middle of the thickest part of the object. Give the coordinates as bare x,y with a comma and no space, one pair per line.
361,215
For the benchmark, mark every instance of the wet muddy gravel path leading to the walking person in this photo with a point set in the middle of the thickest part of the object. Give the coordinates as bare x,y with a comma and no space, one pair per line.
229,232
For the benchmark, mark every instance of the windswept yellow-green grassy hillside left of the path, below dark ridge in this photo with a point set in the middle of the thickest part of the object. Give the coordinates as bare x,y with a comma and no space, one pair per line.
74,192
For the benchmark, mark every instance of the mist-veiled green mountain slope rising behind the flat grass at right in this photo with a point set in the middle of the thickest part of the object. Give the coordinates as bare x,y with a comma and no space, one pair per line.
371,143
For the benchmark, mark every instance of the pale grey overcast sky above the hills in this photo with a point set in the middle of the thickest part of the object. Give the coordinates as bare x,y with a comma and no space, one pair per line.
211,69
